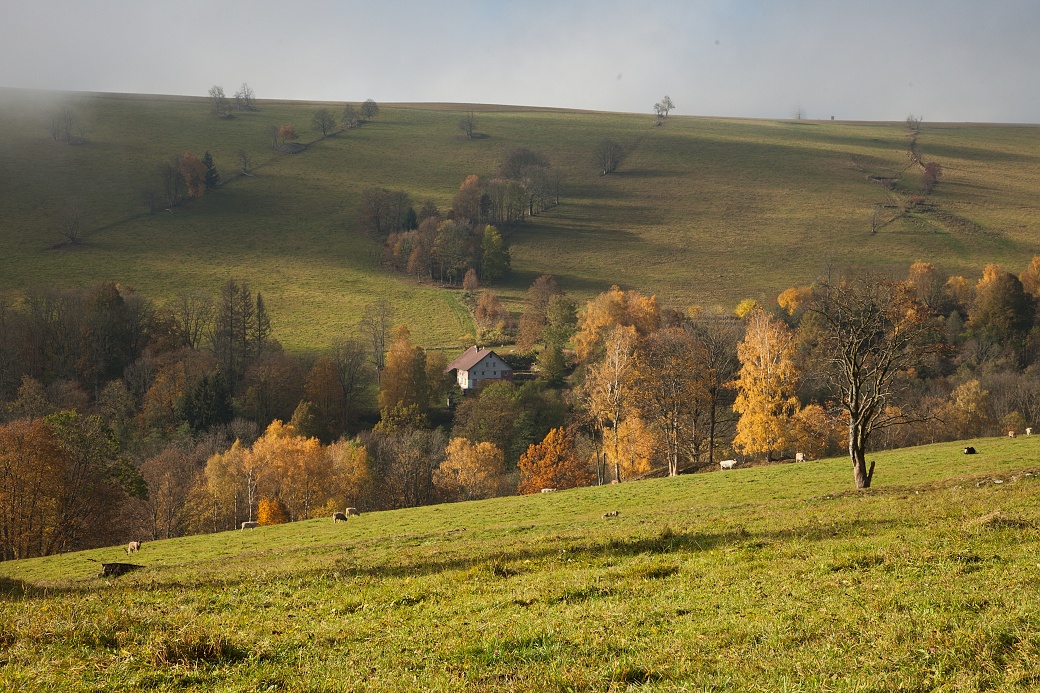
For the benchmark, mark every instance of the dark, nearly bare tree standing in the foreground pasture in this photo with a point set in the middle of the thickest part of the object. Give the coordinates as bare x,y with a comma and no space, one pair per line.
874,336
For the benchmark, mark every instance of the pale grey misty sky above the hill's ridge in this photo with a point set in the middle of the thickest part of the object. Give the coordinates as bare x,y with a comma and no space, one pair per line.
961,61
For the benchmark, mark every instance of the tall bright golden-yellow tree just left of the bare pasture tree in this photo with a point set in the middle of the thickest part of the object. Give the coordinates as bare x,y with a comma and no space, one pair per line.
766,387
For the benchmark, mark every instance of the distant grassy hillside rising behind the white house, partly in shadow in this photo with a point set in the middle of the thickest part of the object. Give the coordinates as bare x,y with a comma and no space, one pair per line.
703,211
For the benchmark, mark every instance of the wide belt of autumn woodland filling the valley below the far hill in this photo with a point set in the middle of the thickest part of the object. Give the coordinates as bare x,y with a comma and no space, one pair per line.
121,417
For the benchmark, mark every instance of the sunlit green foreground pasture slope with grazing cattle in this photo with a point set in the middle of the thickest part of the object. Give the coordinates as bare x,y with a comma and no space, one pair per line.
769,579
